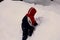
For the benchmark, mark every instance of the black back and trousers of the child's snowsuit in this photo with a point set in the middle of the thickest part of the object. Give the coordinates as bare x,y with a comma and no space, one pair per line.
27,29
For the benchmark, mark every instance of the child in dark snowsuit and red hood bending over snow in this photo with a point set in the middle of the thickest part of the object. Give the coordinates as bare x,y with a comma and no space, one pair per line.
28,23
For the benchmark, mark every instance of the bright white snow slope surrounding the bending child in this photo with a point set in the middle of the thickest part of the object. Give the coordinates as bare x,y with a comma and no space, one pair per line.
12,12
